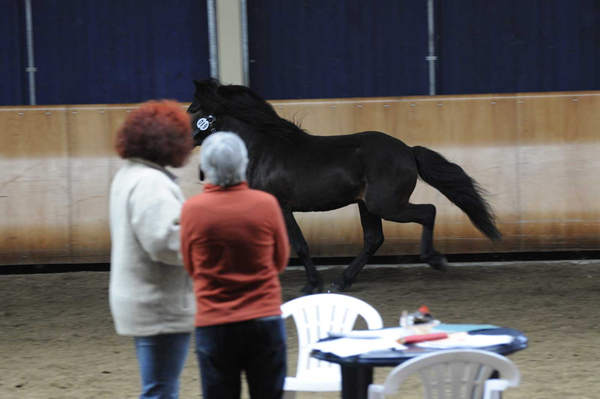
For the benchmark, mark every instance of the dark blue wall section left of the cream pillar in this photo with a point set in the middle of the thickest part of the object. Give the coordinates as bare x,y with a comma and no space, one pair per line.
113,51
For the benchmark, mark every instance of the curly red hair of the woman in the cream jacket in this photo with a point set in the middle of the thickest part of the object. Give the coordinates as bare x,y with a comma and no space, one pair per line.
157,131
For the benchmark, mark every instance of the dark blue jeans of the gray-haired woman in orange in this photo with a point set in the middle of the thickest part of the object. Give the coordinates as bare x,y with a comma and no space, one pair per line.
257,347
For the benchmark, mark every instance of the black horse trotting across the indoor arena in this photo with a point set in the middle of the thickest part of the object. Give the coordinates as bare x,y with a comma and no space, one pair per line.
308,173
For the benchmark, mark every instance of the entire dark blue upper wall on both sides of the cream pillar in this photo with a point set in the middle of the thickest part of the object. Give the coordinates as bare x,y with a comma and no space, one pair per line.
116,51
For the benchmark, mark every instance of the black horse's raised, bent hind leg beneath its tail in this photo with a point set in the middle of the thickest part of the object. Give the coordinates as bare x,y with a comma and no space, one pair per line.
423,214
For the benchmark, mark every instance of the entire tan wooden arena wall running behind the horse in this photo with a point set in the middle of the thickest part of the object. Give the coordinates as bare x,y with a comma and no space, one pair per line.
535,154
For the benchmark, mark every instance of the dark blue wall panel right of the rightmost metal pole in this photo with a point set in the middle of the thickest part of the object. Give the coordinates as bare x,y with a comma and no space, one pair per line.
518,46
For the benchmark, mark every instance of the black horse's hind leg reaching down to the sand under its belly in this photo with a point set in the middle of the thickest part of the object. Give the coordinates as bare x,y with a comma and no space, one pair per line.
373,238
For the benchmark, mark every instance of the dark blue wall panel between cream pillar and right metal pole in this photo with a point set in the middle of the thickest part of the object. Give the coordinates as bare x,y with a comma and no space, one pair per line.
318,49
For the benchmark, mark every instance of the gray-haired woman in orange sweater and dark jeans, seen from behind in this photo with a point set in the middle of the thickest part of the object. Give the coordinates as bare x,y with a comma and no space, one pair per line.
234,245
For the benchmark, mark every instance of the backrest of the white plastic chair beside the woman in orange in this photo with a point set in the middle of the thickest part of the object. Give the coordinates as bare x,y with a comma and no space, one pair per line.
318,315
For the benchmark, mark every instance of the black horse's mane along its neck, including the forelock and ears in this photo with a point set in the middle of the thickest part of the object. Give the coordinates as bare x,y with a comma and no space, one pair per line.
241,103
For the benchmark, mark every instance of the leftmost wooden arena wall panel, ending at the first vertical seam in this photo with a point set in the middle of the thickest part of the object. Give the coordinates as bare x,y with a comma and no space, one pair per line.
34,184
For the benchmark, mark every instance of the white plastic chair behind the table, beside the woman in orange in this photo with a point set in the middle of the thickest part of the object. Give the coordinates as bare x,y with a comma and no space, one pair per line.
315,317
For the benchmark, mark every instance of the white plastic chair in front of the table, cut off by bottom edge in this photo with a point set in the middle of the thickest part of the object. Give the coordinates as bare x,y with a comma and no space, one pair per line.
453,374
